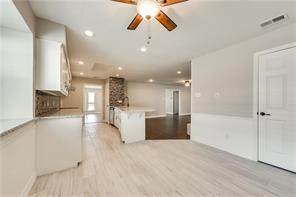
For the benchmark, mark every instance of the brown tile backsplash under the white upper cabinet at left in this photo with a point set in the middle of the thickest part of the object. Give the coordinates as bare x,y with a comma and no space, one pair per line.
46,103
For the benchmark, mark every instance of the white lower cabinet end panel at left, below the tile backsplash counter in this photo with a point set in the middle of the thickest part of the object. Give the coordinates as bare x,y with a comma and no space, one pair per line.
58,144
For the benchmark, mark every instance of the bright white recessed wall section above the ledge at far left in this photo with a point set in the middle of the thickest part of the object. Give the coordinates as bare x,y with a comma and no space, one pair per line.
16,74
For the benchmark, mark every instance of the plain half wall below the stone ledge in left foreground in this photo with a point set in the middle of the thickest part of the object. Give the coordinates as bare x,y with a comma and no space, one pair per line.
18,158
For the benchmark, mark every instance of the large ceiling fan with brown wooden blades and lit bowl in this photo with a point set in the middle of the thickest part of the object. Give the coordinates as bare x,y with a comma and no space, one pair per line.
149,9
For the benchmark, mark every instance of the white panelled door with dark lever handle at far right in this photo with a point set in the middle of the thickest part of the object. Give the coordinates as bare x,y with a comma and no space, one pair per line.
277,108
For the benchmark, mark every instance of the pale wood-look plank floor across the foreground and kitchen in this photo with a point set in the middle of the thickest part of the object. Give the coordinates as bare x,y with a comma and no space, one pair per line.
165,168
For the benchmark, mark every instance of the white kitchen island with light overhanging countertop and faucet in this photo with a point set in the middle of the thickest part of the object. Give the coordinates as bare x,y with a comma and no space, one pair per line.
131,123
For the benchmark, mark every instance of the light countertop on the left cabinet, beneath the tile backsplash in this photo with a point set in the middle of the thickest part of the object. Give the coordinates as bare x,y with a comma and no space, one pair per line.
63,113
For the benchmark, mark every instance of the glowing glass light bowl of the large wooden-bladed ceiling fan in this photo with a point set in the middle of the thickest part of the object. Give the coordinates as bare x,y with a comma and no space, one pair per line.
148,9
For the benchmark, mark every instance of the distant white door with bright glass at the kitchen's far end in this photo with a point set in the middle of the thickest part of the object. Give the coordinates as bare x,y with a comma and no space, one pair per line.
93,103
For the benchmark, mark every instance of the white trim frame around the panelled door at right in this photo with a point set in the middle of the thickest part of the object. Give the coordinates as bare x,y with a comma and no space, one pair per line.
256,84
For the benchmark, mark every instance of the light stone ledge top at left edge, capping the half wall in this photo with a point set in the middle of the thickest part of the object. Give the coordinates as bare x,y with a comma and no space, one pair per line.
9,125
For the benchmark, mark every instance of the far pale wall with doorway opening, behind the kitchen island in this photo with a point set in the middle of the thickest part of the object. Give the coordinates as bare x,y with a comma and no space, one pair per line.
153,96
